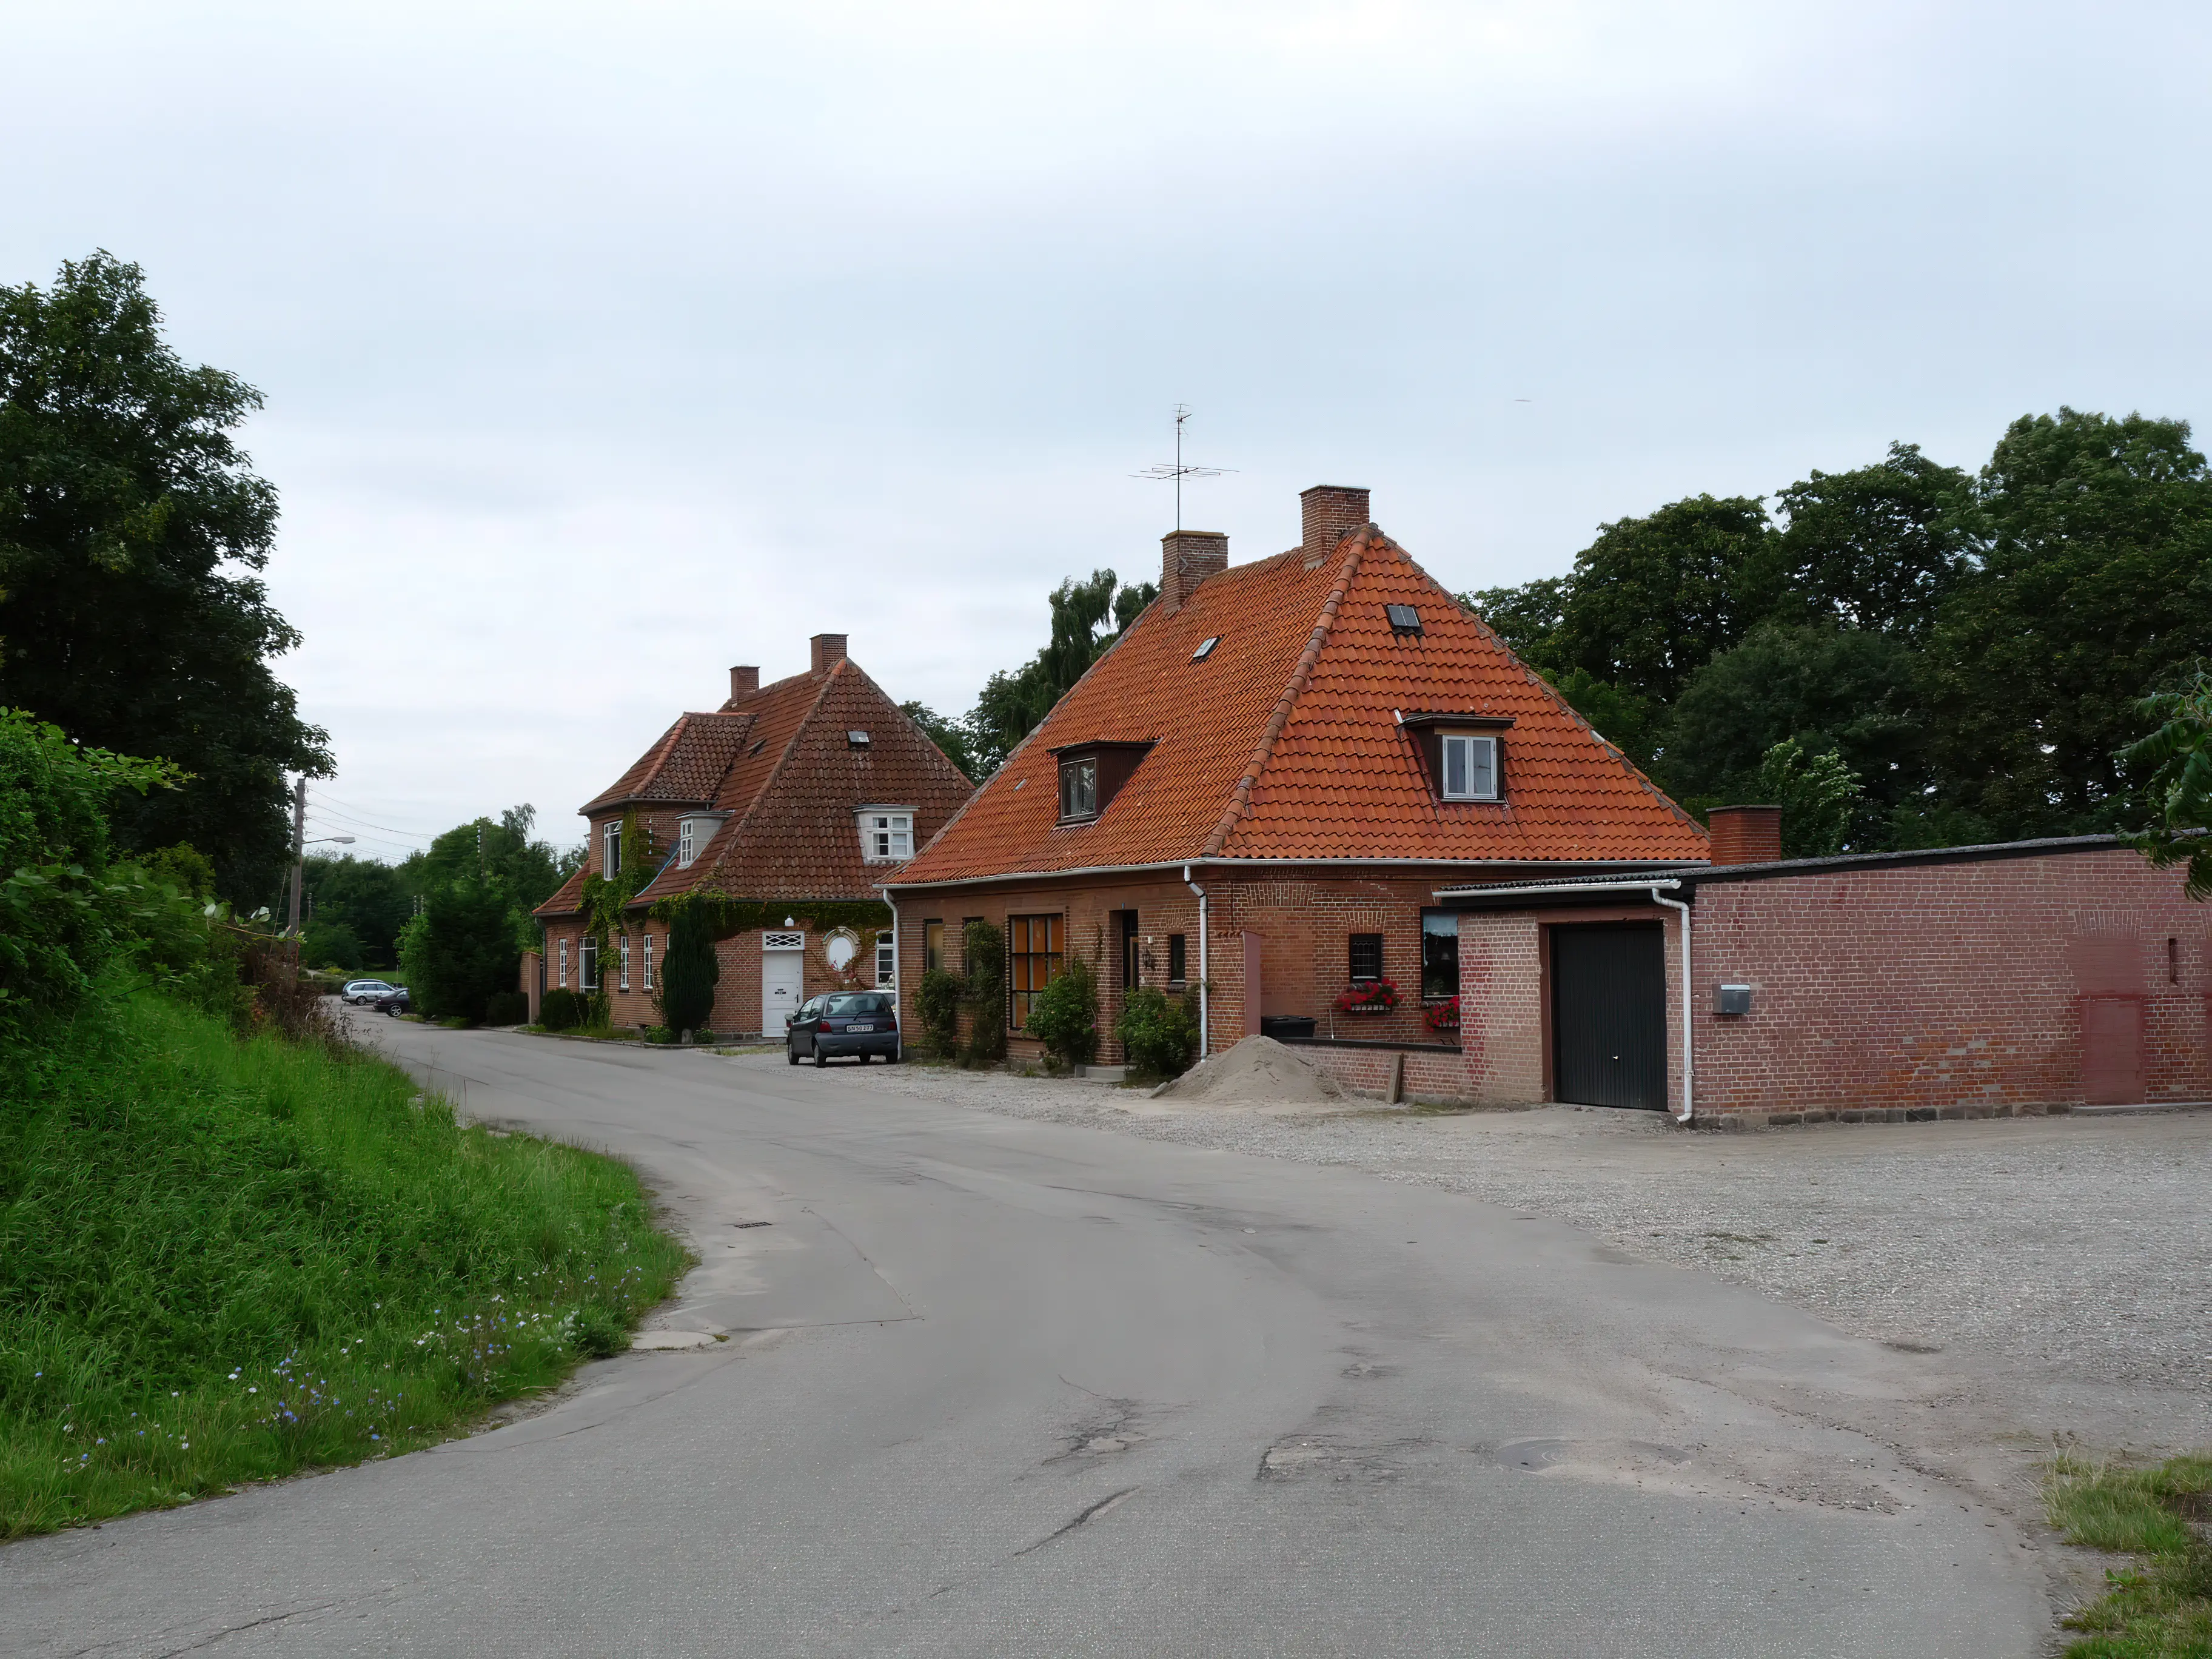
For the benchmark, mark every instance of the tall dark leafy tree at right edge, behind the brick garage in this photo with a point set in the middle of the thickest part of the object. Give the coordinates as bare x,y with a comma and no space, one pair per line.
2096,581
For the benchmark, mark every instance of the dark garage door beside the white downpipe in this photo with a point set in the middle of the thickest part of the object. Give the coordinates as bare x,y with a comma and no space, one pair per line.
1609,1014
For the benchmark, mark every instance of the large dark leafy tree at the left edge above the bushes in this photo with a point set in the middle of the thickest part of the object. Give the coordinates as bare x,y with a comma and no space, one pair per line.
129,532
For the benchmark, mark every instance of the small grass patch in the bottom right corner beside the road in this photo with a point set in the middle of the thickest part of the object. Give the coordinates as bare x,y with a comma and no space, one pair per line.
2164,1607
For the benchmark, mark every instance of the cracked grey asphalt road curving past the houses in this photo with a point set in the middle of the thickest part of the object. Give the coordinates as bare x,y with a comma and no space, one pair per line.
1010,1388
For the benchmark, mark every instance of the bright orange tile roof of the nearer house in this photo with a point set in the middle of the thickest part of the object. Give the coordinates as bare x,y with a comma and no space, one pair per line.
1286,740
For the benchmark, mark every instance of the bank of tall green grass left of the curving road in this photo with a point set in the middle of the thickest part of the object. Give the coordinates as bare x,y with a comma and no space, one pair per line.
238,1260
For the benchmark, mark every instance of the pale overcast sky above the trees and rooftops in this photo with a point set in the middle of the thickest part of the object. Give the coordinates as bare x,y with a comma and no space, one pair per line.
612,346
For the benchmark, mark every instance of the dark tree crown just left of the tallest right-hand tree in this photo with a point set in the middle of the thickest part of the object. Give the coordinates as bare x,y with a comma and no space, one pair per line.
1879,547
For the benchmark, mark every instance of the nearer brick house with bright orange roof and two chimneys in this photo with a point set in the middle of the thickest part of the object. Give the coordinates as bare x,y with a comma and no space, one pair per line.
1260,791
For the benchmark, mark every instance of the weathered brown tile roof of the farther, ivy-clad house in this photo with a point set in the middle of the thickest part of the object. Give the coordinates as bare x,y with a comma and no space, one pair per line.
784,773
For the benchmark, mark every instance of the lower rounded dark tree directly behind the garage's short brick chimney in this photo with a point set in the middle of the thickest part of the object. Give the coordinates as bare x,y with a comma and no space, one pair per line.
1819,687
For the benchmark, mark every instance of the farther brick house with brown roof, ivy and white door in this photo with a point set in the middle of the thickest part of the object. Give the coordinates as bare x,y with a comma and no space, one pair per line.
802,795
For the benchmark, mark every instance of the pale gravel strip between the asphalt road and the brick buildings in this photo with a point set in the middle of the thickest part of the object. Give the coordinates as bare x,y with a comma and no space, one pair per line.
2076,1253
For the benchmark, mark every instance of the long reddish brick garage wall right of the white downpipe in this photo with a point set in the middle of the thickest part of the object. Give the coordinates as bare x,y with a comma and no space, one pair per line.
1948,990
